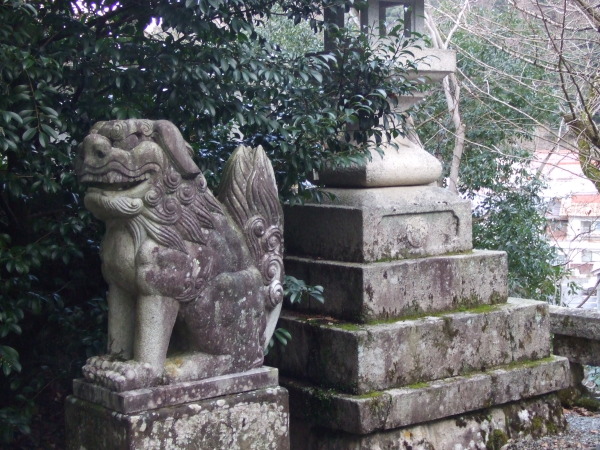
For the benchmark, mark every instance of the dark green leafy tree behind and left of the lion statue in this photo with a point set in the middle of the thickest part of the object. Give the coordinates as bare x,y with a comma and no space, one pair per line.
67,64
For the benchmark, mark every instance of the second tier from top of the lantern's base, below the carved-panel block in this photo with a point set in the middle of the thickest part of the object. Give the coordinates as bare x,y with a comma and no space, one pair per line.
362,292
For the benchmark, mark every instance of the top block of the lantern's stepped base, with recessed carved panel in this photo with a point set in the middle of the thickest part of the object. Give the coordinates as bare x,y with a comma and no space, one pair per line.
366,225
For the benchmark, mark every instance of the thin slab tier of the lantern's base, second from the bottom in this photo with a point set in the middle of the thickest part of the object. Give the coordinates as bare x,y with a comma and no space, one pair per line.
396,408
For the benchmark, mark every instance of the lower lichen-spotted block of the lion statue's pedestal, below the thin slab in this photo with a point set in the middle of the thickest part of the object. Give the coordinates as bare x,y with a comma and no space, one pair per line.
256,420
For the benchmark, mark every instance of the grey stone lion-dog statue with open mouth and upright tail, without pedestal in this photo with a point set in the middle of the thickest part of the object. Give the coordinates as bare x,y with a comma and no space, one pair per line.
194,281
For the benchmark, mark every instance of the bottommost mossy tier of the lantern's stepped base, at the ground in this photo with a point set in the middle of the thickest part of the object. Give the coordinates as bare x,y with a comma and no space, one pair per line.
474,431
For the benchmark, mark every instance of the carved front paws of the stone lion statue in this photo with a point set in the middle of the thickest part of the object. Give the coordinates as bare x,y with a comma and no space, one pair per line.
120,375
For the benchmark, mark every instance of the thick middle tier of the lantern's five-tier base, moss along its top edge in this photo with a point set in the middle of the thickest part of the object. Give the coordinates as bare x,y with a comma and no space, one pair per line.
358,359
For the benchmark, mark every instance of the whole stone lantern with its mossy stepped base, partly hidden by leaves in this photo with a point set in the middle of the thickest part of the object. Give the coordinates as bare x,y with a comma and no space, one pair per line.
417,345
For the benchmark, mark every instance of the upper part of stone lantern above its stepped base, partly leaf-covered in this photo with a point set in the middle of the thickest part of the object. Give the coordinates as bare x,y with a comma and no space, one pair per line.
405,162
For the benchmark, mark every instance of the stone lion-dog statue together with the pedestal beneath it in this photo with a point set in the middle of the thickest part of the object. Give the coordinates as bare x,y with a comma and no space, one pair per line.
194,295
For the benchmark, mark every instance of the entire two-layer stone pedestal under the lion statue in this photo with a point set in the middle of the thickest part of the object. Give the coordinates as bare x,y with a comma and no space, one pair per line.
239,411
